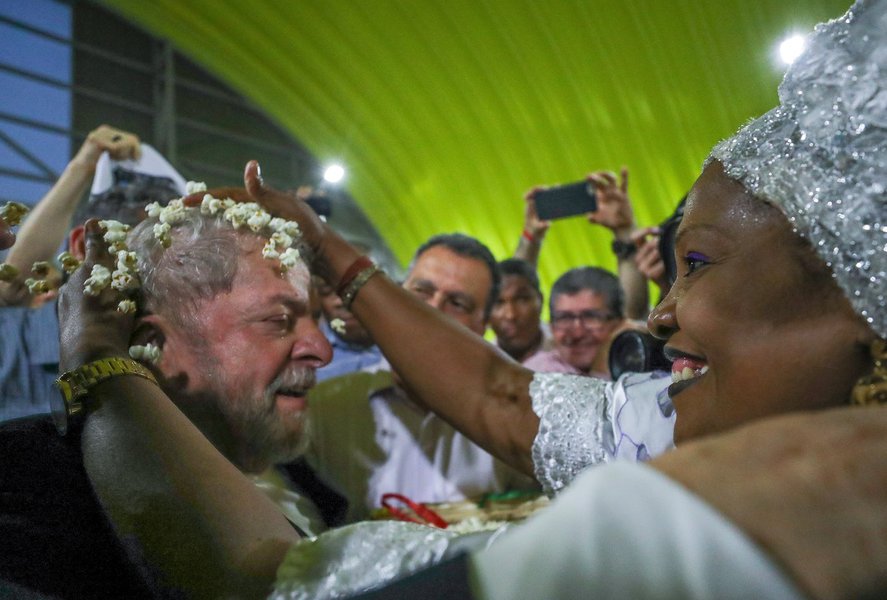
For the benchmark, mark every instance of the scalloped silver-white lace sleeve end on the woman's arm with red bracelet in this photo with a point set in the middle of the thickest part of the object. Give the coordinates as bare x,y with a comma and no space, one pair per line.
575,430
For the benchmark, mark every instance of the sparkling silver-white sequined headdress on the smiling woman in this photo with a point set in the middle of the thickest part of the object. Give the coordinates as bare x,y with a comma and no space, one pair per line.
821,155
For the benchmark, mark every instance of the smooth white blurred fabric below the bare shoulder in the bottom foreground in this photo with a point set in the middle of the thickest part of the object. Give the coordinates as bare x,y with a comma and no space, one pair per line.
626,531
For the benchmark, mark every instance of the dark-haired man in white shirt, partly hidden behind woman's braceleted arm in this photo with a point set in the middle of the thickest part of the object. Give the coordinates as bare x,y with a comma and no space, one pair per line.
369,438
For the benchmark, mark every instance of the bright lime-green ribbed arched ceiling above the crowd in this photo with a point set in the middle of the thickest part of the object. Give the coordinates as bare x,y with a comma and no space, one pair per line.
446,111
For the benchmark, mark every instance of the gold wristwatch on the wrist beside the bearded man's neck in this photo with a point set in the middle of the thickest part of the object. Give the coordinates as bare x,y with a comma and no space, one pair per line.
74,386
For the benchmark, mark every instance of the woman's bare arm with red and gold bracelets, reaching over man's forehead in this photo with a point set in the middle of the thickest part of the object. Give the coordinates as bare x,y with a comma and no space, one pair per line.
454,372
